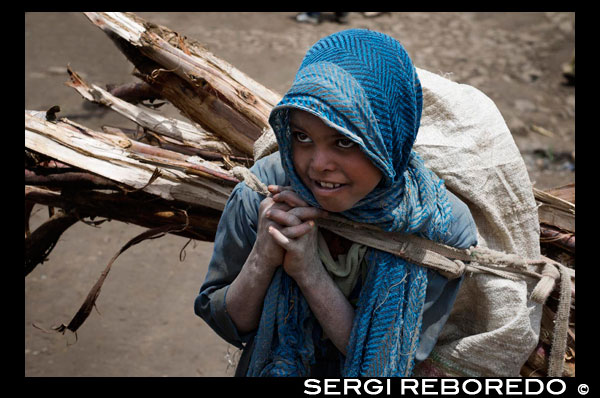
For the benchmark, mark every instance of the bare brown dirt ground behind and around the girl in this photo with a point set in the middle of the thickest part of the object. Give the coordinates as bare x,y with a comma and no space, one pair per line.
146,325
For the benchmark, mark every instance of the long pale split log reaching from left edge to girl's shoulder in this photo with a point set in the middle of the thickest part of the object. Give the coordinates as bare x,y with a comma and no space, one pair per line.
108,156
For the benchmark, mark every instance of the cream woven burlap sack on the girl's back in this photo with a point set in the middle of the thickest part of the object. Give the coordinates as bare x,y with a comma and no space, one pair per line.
463,138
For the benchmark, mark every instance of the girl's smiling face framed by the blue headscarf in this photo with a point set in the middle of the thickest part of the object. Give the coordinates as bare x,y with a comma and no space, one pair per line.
333,167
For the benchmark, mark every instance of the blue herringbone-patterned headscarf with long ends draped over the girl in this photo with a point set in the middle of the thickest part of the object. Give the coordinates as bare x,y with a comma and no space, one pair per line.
363,84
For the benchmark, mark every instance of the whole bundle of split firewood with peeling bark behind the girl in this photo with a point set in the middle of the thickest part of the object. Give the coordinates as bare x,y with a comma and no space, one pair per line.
174,176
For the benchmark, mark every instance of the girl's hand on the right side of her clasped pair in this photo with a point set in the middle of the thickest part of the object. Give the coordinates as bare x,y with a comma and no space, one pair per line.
299,233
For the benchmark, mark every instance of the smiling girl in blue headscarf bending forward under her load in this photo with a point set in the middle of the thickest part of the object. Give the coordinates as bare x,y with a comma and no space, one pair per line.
302,301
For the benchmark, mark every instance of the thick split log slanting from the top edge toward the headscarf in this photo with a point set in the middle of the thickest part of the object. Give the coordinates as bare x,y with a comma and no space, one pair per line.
220,97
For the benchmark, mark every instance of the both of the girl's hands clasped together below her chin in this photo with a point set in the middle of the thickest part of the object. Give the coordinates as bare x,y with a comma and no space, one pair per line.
287,232
